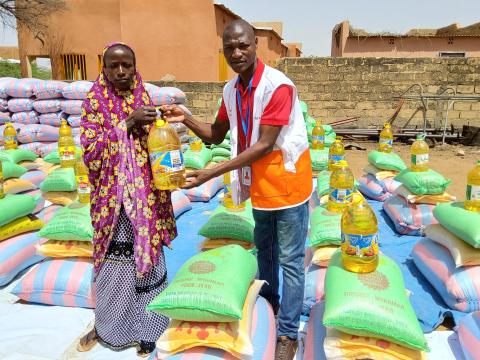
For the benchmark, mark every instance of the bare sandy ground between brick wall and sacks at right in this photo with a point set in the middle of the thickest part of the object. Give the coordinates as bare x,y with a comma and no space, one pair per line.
443,159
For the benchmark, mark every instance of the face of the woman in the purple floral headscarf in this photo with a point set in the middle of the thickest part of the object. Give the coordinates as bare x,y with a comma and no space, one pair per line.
119,64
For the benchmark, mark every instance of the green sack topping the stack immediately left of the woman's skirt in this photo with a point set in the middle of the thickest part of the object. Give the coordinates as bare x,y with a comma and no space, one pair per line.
69,223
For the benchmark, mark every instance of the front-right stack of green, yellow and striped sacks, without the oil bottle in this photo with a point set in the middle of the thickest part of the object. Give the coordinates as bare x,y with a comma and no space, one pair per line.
364,316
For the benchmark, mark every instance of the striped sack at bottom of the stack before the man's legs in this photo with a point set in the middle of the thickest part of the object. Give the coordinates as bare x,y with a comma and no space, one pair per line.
263,335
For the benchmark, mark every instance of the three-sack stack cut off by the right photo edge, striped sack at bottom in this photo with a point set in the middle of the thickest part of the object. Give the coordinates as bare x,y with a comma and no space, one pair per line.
449,256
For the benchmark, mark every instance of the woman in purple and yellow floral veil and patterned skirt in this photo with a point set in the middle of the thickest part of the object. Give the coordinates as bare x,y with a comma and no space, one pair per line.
132,220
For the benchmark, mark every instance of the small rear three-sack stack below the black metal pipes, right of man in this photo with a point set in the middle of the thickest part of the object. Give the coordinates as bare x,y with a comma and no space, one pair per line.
378,181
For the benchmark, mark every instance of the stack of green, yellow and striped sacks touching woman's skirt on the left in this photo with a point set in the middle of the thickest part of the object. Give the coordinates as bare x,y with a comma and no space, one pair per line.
65,277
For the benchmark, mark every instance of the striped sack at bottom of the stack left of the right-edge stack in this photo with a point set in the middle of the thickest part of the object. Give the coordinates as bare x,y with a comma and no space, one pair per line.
409,219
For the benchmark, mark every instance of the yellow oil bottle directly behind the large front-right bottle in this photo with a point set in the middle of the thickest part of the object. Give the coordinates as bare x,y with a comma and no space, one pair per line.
342,185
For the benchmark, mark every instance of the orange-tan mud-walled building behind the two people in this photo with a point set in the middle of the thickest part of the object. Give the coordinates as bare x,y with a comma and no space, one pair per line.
176,37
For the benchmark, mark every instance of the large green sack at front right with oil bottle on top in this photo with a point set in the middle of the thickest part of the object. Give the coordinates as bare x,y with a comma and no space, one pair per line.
373,304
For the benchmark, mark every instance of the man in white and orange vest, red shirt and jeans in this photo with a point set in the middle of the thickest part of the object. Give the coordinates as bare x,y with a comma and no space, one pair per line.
270,164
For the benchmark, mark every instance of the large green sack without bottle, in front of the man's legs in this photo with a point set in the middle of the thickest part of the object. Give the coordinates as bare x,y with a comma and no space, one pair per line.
209,287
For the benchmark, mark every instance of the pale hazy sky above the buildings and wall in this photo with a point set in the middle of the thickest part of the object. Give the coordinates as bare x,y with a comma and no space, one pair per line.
311,21
